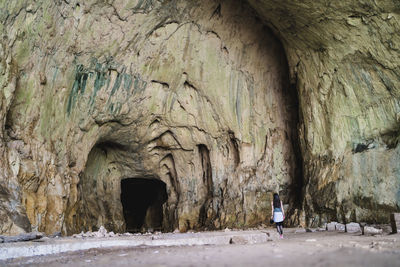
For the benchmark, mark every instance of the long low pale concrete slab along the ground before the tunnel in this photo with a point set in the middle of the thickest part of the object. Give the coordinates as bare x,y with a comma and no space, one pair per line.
54,246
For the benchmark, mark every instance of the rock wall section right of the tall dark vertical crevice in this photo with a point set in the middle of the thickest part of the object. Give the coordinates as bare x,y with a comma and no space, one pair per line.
344,57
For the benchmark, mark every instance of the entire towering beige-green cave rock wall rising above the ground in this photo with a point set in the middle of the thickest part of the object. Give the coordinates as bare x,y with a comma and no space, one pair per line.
203,106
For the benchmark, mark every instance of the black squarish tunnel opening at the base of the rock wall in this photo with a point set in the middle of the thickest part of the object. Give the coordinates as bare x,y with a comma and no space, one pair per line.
142,203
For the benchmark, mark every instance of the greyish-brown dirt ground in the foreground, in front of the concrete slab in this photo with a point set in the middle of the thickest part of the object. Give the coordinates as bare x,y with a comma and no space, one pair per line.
296,249
